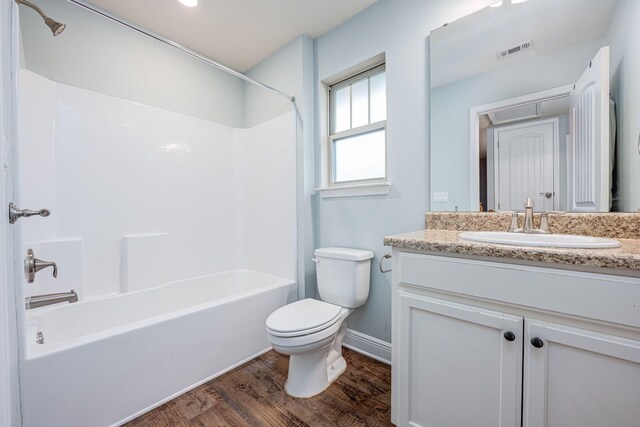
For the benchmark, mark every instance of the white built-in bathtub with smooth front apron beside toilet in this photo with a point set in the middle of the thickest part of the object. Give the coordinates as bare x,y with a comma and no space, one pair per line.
106,361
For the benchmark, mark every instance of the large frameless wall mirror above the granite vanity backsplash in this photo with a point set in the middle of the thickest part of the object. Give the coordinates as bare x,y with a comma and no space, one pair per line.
541,99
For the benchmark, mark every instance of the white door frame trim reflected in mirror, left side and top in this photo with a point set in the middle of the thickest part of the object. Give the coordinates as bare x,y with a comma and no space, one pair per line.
474,132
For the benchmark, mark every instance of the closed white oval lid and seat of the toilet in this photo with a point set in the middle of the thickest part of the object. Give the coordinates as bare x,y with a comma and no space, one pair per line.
303,317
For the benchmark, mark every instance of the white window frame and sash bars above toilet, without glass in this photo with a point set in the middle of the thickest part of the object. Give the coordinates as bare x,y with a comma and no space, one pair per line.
332,136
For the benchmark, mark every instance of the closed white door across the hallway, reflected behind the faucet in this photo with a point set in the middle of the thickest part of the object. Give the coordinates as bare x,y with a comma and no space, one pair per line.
525,165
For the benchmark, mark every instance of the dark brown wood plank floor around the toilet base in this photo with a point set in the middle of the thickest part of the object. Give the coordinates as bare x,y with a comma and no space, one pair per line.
253,395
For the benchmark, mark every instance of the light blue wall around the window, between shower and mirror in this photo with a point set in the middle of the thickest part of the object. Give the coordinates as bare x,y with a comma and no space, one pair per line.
398,28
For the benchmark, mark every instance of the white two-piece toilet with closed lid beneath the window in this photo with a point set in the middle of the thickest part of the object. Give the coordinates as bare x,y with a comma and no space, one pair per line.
311,331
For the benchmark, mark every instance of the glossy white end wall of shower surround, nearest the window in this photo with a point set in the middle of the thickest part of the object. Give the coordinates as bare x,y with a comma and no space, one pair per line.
264,187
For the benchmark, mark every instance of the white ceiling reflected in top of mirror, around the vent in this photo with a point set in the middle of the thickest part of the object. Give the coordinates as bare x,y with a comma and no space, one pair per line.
468,46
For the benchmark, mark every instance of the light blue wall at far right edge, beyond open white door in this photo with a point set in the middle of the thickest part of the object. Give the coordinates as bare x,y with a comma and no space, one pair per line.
623,38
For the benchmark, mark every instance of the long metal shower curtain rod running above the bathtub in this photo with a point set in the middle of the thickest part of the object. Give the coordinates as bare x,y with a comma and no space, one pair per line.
178,46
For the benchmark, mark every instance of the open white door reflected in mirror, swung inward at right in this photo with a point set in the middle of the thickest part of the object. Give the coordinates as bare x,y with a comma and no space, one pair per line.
588,152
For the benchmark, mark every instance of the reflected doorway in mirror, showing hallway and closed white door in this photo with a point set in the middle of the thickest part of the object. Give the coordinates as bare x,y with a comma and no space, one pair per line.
522,151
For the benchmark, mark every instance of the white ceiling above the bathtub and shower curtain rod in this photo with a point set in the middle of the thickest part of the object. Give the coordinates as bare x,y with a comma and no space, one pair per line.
237,33
